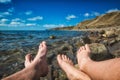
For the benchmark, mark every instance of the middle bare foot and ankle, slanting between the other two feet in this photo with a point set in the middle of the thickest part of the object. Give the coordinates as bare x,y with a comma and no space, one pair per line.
72,73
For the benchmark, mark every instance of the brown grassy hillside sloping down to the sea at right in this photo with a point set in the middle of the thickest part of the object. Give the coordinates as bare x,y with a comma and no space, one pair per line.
104,21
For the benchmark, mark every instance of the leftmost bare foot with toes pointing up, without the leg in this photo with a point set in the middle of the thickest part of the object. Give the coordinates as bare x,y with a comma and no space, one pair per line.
39,62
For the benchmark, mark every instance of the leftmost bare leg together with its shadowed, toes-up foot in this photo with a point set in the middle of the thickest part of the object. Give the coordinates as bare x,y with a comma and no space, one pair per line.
34,69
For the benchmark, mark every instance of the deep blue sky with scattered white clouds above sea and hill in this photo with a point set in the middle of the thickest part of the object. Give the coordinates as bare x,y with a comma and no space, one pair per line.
45,14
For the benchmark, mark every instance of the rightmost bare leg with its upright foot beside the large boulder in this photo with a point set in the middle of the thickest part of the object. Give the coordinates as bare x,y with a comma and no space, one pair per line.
103,70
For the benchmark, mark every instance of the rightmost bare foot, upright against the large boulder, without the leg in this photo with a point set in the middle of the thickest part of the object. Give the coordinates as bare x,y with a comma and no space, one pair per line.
83,56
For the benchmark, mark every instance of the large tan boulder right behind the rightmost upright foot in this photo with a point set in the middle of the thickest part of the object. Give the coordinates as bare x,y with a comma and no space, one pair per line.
99,52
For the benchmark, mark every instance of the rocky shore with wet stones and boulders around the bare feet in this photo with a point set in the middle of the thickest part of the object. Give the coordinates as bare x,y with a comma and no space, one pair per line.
105,44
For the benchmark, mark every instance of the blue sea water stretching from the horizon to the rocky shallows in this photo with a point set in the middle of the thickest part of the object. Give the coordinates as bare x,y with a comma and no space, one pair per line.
13,39
